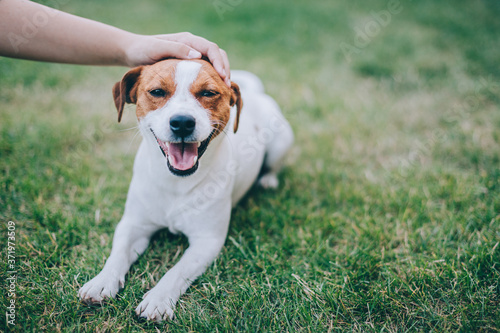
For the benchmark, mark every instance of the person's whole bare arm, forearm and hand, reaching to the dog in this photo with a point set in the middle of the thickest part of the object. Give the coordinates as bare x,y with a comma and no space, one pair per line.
31,31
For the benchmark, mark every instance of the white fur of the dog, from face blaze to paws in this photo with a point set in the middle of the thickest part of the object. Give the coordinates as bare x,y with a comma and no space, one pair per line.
198,206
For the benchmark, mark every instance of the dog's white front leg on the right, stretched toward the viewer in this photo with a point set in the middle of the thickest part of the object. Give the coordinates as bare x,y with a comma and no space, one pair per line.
159,303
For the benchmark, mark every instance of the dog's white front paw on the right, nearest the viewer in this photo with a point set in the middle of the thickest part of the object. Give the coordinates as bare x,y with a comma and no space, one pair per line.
156,308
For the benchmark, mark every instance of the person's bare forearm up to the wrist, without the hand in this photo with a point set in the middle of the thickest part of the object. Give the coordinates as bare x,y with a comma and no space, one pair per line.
32,31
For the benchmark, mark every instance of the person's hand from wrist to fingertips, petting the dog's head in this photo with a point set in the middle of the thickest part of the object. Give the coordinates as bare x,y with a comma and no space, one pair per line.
145,50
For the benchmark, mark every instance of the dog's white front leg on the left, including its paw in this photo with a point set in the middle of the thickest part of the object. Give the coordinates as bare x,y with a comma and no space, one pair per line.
130,240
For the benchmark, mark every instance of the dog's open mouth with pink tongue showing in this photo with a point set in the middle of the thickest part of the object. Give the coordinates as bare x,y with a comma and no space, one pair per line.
183,157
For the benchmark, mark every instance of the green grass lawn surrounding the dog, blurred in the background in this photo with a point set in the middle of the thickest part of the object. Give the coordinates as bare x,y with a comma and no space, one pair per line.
387,217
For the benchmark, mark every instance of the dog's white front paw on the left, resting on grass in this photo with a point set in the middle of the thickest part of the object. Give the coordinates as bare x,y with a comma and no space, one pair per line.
100,288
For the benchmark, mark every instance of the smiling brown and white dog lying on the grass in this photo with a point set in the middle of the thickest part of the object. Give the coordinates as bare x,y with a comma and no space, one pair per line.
201,152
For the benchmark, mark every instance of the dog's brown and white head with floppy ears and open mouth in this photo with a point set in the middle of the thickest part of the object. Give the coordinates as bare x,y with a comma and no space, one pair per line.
183,104
